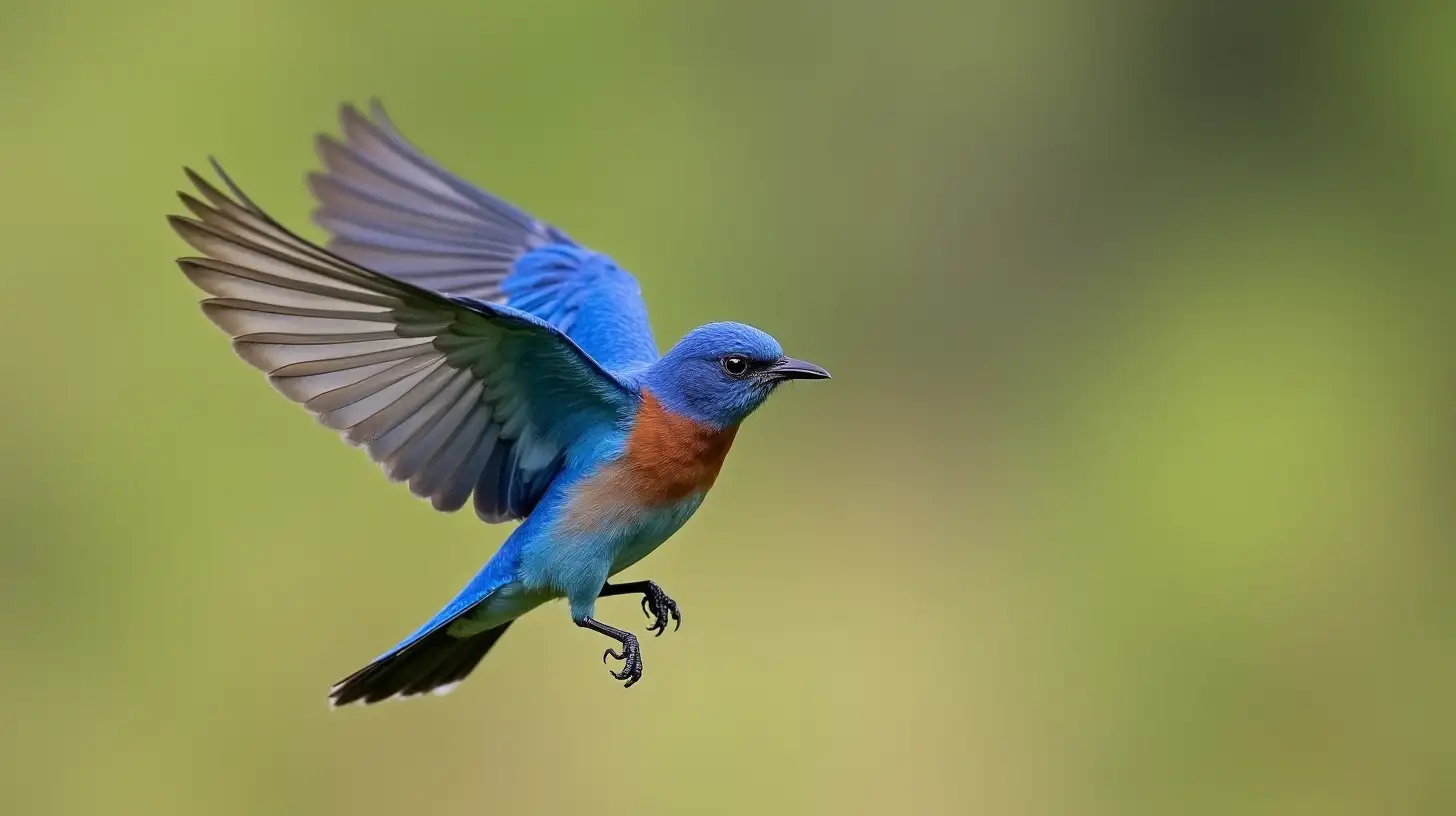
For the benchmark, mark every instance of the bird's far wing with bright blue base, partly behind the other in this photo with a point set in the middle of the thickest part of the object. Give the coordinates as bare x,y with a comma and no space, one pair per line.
392,209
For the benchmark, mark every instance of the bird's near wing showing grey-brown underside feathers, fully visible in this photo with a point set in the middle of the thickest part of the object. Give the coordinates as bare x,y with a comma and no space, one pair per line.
449,394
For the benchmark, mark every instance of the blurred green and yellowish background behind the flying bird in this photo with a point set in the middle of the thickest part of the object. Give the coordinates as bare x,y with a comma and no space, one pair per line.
1132,493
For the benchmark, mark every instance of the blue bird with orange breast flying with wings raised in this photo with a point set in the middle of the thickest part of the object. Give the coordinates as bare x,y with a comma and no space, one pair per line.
481,356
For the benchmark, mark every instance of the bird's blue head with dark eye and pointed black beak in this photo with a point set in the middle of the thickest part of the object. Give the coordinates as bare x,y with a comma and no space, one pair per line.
723,372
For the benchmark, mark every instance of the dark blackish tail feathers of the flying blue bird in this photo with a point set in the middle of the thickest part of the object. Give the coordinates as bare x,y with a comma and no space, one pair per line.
438,662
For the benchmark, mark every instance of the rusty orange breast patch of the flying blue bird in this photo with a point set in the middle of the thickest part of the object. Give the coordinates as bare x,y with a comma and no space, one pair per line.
668,460
